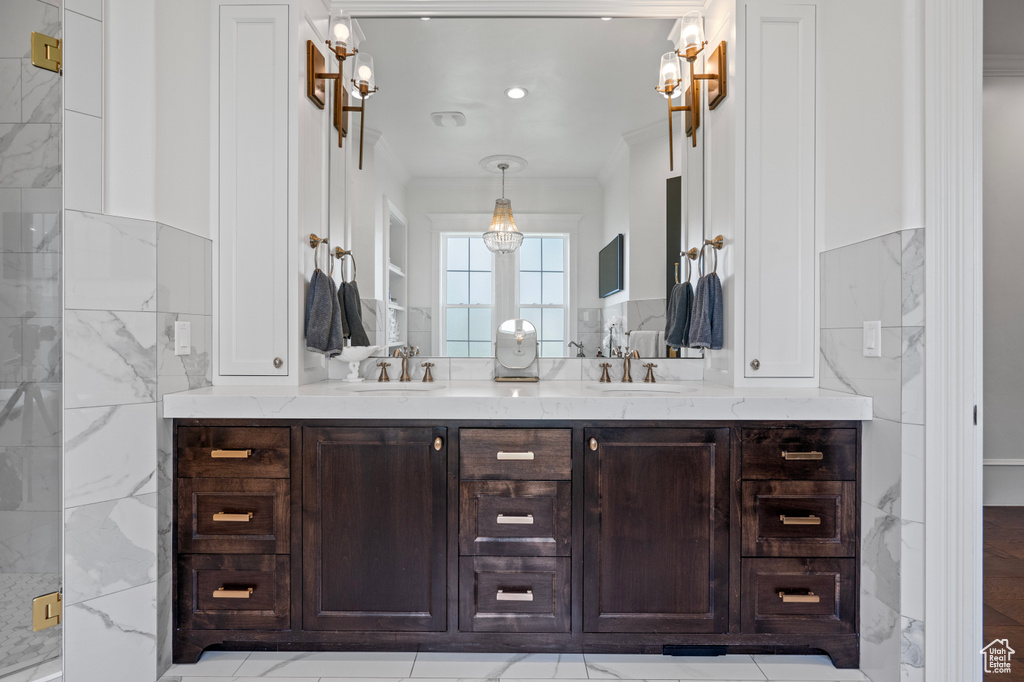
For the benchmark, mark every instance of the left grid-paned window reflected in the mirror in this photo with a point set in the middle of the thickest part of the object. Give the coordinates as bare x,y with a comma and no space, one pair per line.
468,297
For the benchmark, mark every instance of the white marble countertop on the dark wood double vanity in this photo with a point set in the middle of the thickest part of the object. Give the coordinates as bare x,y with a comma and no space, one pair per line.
492,401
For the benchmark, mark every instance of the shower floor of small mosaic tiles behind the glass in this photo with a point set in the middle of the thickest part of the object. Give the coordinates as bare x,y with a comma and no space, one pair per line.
20,647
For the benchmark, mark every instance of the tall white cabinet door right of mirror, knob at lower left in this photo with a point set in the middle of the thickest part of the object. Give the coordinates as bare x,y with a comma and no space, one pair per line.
781,286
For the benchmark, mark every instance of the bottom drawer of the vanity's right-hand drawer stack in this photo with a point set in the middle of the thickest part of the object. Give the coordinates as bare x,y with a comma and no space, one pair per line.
794,596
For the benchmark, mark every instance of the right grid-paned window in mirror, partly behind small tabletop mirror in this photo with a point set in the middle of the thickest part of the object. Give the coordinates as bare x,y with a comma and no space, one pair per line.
543,291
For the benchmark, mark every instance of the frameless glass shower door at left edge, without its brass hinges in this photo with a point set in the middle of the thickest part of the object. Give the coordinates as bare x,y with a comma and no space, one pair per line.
30,333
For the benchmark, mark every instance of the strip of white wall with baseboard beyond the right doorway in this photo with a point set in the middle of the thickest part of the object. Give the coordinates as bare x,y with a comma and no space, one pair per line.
1004,321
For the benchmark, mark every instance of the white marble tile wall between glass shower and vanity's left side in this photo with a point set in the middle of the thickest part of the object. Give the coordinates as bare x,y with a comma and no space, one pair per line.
129,282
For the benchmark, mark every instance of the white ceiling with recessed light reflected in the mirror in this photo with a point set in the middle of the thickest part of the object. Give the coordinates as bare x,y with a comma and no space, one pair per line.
589,81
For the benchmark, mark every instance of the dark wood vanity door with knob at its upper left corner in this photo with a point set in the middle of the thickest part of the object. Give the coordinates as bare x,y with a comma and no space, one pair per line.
657,531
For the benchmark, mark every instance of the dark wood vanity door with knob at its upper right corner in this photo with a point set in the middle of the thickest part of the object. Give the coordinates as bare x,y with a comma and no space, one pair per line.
374,514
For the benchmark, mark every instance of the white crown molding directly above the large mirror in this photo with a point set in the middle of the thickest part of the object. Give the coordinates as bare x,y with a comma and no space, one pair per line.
623,9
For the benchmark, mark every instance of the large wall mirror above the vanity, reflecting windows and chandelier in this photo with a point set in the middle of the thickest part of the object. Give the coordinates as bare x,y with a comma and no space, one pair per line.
588,154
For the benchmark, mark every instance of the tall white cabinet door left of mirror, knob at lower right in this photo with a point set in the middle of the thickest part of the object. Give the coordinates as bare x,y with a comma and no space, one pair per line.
253,190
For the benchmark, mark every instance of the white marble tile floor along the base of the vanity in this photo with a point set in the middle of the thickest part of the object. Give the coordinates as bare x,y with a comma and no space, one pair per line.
393,667
